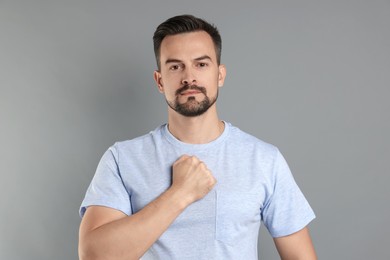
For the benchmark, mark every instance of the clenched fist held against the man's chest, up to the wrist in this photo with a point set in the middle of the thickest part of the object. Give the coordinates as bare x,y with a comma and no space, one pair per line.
192,178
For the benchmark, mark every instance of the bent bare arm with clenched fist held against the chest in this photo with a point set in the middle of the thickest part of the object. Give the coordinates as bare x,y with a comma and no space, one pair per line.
107,233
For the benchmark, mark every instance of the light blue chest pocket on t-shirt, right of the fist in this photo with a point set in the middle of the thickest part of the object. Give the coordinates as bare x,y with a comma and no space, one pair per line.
237,216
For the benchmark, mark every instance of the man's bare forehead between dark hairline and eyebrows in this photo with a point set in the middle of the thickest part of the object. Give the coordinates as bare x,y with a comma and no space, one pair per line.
187,46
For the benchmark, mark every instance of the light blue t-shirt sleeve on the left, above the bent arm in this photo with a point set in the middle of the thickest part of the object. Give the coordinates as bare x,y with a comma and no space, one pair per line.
107,188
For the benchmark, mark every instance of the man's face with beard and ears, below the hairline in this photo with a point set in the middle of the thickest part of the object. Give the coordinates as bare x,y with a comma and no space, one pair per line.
189,76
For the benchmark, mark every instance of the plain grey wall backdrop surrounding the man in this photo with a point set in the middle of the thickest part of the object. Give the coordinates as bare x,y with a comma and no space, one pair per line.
311,77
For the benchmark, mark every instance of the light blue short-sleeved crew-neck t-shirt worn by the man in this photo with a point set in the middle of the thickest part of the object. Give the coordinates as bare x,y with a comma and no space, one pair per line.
254,184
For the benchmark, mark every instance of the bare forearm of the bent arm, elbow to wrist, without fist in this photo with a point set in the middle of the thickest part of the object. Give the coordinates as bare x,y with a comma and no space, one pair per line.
130,237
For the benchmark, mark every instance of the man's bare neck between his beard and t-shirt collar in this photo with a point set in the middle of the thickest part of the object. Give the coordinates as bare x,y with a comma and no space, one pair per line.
195,130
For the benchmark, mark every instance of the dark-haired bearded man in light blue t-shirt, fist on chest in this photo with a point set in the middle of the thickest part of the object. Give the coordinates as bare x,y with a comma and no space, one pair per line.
197,187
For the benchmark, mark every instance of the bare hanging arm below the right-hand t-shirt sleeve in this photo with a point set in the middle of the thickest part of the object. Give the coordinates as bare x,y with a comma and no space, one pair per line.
297,246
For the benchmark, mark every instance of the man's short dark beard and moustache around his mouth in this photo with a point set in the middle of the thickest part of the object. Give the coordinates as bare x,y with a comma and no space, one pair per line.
192,107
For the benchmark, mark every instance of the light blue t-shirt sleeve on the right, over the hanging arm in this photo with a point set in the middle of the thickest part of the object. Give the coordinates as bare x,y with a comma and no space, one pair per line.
286,210
